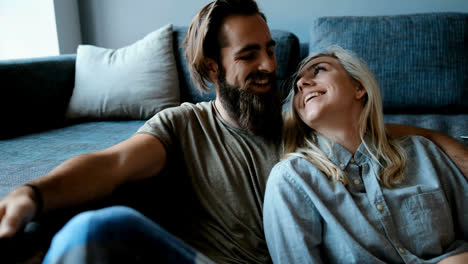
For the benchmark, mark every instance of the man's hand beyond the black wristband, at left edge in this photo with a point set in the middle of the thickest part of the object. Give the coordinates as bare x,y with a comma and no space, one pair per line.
16,210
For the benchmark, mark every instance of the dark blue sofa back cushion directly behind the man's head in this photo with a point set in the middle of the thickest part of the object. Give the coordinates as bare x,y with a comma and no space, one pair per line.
287,55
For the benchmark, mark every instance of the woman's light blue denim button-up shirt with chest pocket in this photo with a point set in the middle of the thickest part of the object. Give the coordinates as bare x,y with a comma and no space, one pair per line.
309,218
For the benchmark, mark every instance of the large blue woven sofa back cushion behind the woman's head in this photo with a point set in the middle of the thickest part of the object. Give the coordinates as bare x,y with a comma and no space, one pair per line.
420,60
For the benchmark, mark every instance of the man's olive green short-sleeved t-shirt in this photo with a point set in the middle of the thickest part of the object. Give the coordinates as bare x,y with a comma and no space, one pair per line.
228,168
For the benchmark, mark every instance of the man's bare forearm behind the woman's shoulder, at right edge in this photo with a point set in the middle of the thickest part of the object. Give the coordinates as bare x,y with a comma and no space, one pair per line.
457,152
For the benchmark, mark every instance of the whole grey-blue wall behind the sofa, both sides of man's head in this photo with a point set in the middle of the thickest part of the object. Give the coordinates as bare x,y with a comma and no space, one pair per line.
116,23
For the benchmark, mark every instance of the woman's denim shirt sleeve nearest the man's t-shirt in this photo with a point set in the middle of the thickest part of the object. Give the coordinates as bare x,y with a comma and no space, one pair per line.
292,225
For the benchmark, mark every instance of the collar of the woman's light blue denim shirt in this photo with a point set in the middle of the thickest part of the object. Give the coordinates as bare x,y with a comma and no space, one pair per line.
340,156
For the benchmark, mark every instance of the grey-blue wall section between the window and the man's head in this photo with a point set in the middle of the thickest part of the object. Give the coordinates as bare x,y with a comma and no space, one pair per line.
116,23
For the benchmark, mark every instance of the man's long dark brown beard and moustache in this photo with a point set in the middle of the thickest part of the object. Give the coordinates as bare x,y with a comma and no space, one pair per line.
258,113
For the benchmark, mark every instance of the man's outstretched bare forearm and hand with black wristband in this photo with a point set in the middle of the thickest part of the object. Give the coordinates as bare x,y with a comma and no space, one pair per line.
83,178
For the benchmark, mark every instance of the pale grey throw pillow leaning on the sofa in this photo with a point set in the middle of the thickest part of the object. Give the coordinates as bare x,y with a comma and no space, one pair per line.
134,82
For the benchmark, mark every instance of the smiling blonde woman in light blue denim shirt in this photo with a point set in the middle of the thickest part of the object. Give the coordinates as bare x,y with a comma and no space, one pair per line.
345,191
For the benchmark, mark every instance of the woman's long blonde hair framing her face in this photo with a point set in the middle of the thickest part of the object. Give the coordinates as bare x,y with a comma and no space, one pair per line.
300,140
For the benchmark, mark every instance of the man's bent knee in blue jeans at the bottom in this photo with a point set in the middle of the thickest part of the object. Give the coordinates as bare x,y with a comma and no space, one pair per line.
118,235
